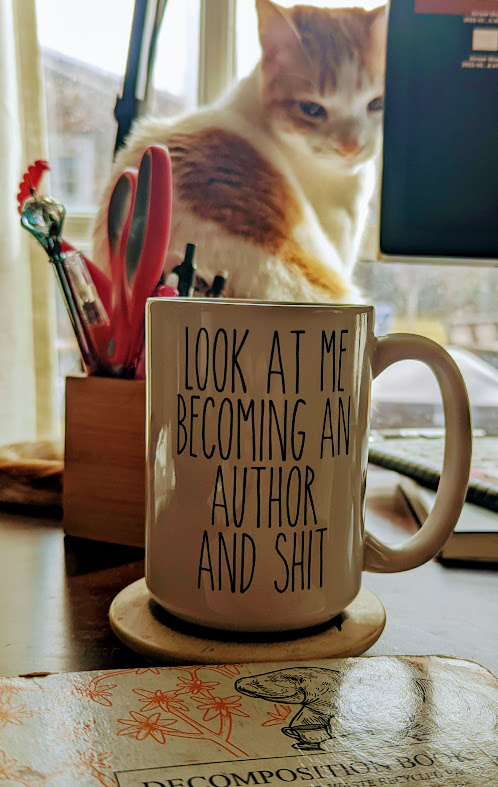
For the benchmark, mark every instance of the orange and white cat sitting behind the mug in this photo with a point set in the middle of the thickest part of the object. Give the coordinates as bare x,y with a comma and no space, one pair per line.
272,183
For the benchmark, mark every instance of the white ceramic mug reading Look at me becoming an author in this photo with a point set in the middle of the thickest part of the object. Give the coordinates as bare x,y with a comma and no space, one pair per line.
257,448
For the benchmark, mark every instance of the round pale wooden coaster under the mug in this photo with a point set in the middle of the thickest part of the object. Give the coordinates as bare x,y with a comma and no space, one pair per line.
147,628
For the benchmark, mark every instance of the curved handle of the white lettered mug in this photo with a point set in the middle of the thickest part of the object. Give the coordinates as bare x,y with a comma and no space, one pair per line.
450,497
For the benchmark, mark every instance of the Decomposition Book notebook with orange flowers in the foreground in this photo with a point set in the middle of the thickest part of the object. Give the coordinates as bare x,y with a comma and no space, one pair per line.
360,722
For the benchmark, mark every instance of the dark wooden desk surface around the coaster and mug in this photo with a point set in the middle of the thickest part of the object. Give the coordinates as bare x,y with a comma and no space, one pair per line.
55,594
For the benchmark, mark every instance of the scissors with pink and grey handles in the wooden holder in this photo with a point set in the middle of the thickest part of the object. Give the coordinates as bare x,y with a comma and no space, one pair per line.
138,227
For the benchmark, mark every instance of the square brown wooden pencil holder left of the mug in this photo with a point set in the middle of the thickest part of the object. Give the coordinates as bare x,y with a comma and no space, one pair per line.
104,472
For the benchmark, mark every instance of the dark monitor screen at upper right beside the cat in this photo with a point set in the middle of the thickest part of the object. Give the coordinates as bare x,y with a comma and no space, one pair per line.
440,160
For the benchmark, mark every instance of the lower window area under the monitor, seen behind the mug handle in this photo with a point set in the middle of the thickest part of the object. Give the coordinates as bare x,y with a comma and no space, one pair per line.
455,306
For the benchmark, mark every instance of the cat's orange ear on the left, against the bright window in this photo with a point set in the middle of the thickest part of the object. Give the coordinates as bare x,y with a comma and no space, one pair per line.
284,57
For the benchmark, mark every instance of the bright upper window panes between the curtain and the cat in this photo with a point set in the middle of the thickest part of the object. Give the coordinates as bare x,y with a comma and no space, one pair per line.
84,66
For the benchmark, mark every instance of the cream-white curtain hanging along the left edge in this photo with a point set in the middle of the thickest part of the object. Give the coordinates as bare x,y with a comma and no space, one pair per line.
28,361
